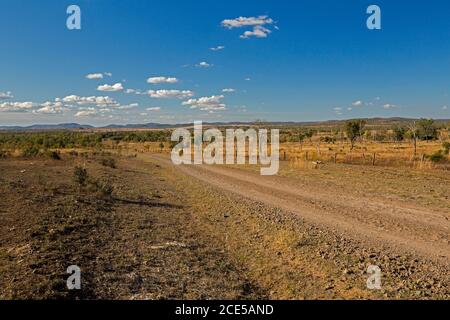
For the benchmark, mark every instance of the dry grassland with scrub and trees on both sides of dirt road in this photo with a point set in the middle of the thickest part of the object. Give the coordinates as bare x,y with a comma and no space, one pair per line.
138,230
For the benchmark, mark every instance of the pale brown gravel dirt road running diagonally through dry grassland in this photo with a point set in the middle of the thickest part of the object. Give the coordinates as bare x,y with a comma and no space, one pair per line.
399,227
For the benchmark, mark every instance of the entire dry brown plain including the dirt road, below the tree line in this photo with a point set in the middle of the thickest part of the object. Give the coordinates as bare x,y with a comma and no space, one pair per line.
140,227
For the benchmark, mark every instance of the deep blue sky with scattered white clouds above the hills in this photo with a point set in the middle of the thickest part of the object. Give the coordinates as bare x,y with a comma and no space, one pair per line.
300,61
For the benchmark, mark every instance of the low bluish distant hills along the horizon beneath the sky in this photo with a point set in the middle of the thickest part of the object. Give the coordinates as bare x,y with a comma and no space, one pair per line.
328,123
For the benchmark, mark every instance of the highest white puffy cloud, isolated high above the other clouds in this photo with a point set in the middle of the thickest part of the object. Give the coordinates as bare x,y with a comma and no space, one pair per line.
258,24
